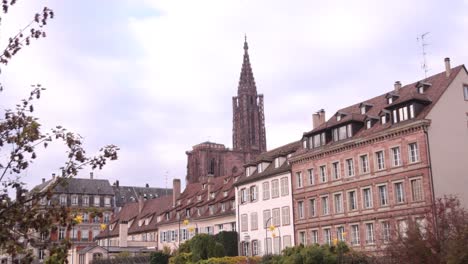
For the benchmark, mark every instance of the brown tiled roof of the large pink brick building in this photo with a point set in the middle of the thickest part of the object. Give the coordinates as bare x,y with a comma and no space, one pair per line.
438,84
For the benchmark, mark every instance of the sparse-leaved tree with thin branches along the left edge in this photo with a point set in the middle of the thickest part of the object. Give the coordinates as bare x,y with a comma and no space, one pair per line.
21,135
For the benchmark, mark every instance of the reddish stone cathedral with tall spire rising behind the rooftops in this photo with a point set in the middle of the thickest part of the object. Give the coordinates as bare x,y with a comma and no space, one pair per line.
248,139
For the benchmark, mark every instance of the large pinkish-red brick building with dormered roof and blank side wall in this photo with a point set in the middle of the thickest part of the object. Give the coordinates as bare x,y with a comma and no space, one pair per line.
374,165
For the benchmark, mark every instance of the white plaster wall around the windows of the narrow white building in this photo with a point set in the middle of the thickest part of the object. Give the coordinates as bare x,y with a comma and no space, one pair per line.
259,206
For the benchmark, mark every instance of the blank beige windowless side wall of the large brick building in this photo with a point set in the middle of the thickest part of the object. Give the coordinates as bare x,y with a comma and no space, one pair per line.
448,141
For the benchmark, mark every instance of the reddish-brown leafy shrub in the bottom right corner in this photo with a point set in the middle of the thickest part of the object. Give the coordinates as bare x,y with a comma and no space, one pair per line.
442,238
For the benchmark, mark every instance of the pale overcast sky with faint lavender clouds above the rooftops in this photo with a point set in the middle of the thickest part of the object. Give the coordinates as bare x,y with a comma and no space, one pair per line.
157,77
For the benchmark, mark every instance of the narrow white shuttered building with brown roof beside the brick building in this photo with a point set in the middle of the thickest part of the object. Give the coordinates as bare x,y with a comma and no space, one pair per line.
264,204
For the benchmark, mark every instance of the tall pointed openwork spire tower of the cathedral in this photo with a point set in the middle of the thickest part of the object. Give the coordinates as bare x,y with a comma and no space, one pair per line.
248,133
